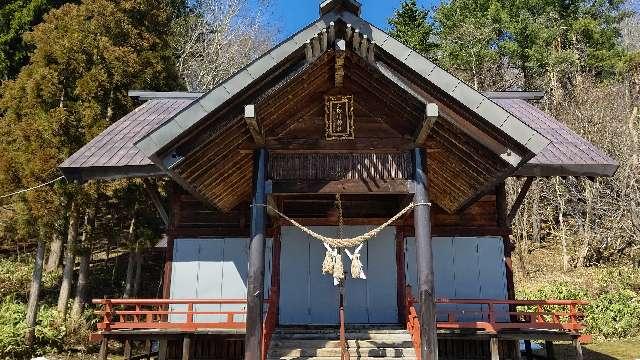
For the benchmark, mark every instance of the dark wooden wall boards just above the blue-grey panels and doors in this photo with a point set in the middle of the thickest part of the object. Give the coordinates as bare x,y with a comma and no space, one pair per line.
195,218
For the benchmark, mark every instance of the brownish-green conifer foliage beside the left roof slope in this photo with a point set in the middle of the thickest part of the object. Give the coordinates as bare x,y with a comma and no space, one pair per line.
86,57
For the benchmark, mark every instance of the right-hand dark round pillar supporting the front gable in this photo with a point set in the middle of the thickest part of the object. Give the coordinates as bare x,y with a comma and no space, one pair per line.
422,225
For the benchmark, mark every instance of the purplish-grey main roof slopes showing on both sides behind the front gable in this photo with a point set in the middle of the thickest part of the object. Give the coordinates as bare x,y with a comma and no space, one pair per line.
567,155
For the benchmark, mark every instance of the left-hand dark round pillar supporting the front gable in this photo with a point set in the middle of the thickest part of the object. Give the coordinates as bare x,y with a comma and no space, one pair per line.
255,288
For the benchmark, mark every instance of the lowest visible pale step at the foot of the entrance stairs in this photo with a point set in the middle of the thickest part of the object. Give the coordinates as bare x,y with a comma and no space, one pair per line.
333,352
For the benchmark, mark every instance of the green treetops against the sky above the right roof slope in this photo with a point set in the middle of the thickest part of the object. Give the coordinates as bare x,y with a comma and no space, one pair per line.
544,41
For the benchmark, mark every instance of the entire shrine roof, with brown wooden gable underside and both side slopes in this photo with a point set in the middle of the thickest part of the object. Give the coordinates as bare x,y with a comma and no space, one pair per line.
205,144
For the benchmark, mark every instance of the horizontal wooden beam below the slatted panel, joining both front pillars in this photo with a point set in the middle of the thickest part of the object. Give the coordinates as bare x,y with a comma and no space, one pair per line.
355,186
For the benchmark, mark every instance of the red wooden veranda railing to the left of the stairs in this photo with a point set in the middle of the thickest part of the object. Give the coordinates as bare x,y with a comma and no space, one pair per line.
158,314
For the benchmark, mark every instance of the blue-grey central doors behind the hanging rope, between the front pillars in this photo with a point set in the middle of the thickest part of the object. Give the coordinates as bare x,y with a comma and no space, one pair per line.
307,297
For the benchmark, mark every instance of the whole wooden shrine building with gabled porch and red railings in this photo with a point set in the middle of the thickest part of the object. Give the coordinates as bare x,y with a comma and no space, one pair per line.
338,128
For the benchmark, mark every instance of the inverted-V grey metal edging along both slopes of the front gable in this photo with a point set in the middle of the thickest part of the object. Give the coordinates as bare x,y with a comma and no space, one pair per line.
493,114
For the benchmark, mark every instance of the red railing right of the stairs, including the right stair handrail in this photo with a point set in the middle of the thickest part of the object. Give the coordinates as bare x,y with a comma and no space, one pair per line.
496,316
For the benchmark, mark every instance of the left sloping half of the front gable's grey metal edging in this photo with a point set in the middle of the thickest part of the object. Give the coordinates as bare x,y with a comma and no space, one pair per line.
168,132
